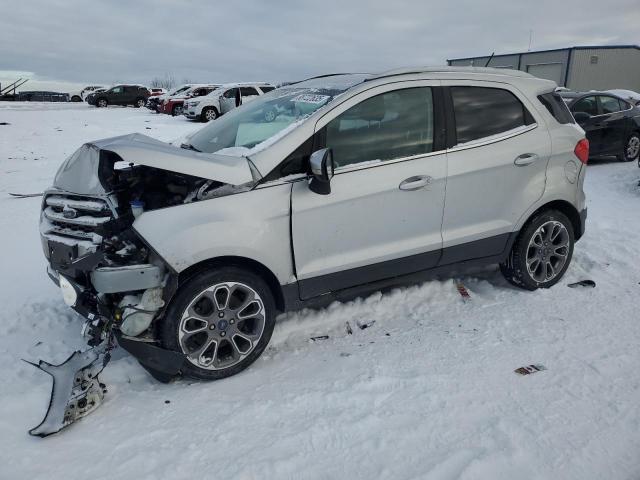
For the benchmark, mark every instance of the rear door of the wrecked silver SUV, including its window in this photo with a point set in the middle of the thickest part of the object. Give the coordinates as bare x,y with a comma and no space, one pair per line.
497,167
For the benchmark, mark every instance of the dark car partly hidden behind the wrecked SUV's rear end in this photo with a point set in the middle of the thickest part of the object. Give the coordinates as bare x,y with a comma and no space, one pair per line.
611,123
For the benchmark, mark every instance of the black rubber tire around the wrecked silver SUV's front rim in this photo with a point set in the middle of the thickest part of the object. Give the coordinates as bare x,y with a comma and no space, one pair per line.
169,328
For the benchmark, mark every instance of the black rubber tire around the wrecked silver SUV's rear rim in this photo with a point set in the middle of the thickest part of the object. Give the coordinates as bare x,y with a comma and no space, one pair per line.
515,268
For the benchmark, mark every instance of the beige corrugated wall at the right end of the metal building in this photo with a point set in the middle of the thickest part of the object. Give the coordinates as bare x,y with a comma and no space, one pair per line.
614,68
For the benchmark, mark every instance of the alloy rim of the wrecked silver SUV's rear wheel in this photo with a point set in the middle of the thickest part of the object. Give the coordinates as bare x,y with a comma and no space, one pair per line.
548,251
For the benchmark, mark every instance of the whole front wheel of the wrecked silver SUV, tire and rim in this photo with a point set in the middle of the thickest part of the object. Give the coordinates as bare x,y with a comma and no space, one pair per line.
214,322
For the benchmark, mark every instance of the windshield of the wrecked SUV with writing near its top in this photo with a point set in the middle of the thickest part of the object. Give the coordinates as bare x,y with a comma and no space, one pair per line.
268,117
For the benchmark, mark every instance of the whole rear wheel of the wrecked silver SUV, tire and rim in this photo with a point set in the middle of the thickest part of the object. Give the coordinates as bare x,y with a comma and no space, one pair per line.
529,266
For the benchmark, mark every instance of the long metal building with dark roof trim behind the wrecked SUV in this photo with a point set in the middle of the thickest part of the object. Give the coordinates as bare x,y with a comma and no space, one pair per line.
577,68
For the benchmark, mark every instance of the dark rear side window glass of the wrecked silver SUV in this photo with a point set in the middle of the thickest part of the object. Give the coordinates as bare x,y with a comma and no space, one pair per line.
482,112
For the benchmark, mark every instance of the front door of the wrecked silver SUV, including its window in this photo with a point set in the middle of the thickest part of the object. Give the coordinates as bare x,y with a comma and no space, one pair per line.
384,213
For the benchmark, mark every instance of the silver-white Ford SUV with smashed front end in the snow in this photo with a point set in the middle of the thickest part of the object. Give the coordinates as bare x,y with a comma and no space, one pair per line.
321,190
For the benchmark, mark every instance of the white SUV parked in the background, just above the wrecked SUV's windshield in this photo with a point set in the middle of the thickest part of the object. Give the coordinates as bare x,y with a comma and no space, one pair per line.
224,99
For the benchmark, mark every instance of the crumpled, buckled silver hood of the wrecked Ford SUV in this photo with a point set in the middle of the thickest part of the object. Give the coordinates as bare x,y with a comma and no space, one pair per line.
79,172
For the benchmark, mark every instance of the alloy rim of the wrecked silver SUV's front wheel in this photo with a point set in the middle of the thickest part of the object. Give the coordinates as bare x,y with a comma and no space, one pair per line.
221,325
